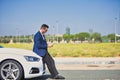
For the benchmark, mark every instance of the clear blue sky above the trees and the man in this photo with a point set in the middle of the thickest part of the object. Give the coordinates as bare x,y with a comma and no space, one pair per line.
24,17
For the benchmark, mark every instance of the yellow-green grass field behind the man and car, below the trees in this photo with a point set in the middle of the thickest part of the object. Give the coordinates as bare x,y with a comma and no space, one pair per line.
77,50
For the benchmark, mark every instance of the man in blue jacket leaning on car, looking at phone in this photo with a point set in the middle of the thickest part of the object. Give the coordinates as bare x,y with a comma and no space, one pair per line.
40,48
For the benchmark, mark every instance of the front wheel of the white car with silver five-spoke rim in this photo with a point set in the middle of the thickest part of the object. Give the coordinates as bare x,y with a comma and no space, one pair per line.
11,70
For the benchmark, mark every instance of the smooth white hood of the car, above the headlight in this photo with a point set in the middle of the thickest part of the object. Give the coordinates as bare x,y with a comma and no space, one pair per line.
17,51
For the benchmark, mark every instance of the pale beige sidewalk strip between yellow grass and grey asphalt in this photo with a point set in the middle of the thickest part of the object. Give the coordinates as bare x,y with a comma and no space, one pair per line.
87,63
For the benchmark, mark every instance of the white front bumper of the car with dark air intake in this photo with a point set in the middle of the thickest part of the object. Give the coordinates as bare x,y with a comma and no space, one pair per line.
33,69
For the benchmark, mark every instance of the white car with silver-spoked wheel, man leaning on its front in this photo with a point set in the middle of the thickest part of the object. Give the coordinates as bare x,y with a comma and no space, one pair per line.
16,64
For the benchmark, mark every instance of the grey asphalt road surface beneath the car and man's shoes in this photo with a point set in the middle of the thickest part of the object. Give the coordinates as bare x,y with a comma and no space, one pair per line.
85,75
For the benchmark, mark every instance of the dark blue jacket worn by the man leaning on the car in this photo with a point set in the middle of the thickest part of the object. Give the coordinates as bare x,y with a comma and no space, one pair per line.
40,44
